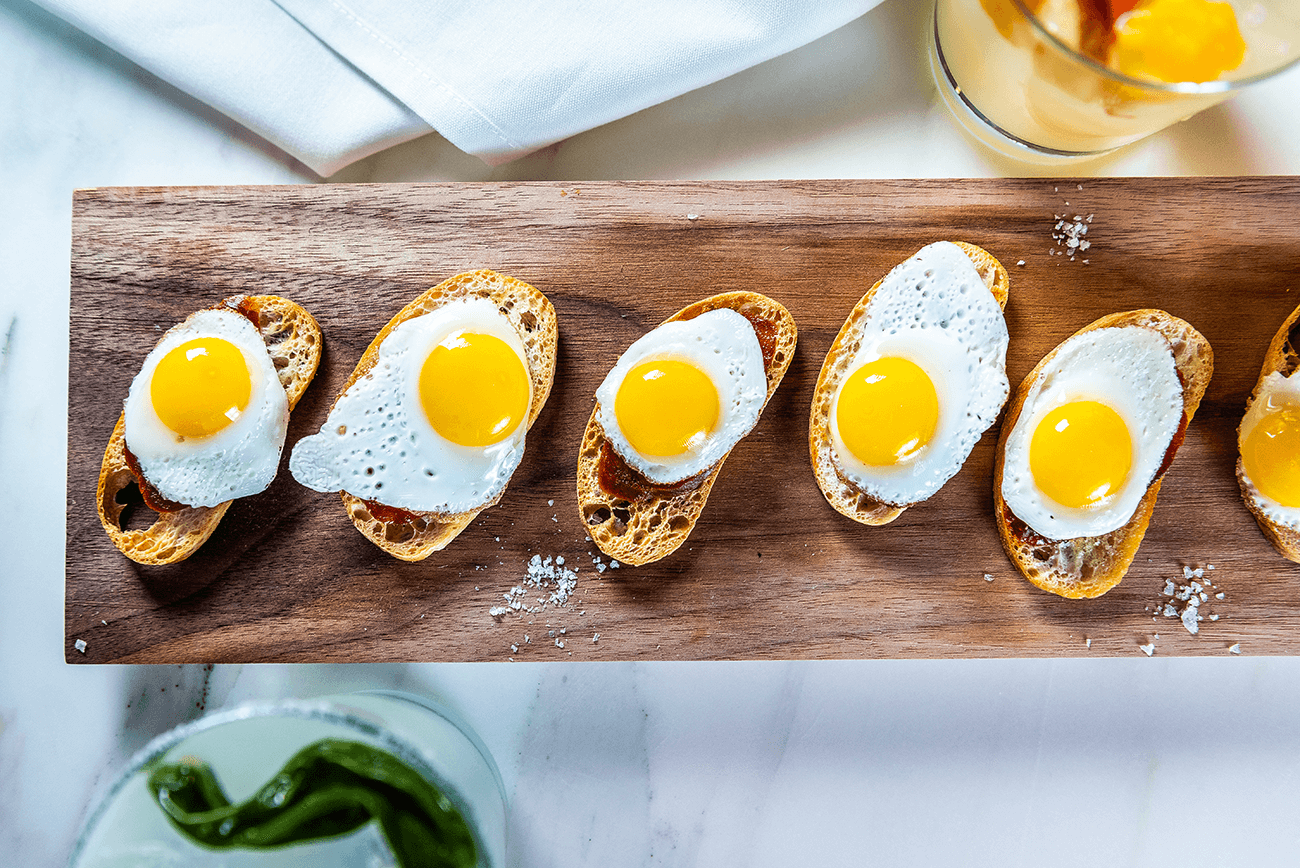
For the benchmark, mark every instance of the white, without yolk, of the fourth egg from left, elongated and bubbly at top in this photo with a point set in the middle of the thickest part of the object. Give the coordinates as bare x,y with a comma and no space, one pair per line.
937,313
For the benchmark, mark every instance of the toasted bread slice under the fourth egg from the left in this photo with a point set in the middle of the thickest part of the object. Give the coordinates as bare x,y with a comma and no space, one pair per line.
839,491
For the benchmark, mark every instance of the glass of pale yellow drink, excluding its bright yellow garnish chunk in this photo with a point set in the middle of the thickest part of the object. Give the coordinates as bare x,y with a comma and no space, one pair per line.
1016,85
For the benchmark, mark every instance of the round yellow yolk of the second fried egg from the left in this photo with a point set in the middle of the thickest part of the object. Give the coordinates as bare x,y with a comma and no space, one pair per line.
474,389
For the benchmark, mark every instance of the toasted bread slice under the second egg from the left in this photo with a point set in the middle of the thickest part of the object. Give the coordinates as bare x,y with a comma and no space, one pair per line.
414,536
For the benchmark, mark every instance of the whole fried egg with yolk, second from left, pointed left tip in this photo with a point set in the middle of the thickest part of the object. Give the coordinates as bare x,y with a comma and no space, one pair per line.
437,424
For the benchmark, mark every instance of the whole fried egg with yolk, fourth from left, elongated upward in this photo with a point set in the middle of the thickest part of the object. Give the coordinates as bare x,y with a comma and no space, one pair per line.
928,377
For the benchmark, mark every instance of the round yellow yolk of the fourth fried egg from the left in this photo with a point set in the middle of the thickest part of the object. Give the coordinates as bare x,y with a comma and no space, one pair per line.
889,411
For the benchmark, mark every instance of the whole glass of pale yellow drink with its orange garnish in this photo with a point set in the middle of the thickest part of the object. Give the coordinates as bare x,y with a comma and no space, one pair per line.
1054,81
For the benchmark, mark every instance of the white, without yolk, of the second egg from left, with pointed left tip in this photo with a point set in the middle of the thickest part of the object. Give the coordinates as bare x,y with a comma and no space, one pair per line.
378,442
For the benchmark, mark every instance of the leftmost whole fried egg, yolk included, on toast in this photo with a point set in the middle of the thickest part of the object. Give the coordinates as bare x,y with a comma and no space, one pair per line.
207,415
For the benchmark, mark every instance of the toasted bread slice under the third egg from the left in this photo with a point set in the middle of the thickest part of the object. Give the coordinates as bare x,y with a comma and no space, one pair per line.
644,522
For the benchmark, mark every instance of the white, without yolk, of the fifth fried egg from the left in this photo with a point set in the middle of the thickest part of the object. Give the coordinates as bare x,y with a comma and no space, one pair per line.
1129,370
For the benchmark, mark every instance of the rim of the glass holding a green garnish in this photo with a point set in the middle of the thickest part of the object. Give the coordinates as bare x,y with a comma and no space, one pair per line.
324,709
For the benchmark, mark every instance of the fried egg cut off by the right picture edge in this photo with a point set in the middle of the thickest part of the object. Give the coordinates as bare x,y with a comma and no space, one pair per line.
1269,441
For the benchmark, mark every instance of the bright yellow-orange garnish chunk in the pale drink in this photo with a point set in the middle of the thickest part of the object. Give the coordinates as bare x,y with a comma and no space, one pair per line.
1178,41
